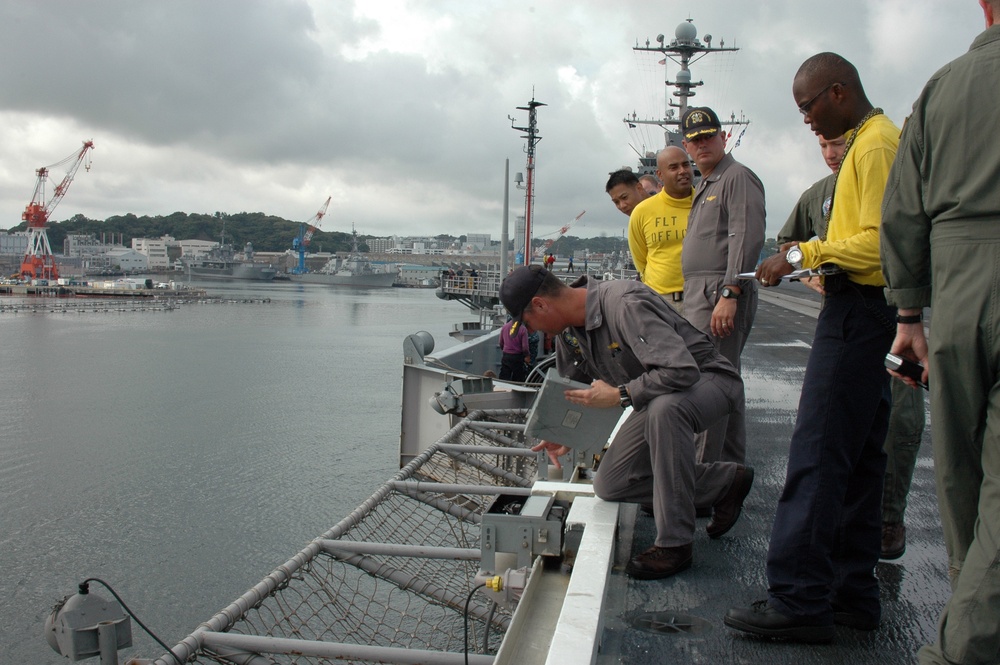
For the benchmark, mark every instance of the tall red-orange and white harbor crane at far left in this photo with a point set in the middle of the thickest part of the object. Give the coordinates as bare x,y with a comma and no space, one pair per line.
38,262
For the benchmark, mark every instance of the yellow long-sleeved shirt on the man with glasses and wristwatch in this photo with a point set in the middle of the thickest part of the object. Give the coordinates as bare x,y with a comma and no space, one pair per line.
852,238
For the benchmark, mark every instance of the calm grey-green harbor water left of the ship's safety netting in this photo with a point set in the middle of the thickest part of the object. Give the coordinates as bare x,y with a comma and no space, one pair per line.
182,455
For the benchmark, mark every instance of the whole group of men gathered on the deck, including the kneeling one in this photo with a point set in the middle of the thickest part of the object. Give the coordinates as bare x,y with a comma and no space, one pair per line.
906,224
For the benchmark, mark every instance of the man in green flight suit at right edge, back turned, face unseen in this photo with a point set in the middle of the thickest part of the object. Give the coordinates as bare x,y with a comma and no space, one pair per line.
941,247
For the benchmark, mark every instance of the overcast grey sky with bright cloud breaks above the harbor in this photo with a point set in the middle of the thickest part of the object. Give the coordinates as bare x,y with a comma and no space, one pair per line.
398,109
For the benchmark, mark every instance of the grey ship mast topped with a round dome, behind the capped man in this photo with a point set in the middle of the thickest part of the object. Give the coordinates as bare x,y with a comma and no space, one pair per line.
684,50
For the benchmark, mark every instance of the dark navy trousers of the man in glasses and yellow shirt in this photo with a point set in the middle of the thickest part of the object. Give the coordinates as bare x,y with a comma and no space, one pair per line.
826,536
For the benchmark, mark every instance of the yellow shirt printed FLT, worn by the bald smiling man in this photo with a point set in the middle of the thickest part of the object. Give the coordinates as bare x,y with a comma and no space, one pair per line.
655,231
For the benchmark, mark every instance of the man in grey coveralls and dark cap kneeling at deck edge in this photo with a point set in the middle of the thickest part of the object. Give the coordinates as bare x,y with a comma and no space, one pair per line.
635,350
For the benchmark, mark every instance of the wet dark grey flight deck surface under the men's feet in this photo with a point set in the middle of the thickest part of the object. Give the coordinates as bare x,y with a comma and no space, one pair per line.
679,620
